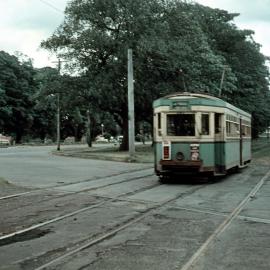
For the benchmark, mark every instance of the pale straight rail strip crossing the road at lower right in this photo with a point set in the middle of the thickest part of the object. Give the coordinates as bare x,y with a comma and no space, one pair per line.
224,225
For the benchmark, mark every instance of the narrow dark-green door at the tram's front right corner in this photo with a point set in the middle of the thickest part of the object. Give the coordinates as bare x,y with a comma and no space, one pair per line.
219,143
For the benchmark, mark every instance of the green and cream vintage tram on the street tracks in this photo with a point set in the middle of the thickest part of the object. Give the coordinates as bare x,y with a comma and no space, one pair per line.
199,134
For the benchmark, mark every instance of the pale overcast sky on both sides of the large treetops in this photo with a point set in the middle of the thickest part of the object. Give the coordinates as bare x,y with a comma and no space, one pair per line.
25,23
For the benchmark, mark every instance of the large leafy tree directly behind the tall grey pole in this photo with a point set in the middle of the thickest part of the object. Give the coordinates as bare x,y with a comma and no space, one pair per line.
170,52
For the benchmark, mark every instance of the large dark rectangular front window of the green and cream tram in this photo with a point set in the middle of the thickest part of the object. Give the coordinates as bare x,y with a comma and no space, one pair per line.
181,125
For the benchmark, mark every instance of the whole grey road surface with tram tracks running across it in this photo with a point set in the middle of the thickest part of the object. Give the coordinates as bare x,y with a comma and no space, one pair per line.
72,213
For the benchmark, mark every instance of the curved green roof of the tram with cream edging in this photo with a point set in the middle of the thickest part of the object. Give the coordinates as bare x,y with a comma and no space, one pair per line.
194,99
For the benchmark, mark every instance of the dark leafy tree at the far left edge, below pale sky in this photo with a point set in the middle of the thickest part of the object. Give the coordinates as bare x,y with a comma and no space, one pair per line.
17,86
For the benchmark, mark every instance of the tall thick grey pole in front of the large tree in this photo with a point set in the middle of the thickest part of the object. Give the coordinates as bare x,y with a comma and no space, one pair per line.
131,126
